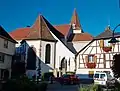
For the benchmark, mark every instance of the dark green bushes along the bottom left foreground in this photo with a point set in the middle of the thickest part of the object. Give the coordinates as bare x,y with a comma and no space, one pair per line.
24,84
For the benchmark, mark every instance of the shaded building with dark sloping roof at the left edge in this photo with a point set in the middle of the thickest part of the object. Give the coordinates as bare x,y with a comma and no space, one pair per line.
7,51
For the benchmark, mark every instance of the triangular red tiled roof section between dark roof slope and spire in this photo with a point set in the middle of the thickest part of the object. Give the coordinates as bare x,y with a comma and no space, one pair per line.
64,29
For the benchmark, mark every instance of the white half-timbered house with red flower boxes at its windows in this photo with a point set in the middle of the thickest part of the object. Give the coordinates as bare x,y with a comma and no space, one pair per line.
98,54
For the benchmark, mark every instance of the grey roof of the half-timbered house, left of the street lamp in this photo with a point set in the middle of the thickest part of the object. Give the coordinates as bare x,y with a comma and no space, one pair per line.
107,33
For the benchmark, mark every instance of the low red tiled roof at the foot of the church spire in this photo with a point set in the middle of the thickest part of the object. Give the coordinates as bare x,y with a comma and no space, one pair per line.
80,37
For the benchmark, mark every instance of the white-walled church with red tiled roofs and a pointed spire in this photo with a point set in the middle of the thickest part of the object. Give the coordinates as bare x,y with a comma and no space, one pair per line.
48,48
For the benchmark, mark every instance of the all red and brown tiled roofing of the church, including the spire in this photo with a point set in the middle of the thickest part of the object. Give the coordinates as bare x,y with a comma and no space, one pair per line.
35,31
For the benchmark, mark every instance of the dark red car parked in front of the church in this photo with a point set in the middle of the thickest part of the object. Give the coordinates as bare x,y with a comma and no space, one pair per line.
69,79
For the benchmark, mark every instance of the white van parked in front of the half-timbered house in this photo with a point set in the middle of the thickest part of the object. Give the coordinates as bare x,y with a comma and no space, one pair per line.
104,79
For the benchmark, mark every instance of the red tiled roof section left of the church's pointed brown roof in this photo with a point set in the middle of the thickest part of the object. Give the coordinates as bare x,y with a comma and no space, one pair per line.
20,33
